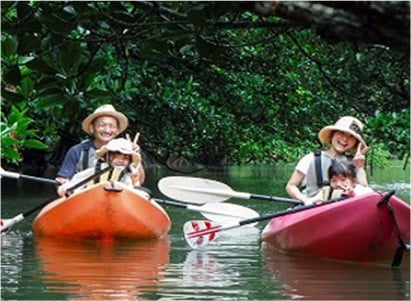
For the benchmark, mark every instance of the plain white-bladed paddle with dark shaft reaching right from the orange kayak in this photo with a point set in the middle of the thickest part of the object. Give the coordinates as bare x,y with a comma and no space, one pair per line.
218,212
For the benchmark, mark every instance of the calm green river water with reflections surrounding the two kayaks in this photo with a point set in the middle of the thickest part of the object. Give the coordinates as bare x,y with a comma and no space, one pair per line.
234,267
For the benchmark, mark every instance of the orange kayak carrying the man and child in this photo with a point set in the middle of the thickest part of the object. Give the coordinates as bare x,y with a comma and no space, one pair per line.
104,211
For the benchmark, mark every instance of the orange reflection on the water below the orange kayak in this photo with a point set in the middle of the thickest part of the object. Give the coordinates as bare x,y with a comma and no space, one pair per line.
102,271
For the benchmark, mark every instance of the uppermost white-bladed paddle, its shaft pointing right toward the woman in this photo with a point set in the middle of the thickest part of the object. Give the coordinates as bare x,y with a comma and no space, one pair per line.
200,191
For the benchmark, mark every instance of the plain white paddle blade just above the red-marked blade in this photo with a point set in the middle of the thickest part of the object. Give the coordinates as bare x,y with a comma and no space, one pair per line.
226,213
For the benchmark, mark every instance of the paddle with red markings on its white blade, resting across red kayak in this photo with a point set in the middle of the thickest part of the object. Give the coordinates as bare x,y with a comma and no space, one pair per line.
199,233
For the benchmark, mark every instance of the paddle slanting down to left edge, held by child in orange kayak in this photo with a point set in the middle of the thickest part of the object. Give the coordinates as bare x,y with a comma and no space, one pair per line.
6,224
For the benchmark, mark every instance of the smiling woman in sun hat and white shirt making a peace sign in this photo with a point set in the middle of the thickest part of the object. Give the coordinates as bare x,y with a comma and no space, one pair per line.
343,137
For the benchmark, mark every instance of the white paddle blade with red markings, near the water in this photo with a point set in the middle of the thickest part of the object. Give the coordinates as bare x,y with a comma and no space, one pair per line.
199,233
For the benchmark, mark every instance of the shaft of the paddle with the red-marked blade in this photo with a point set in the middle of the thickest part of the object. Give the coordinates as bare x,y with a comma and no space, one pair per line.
220,228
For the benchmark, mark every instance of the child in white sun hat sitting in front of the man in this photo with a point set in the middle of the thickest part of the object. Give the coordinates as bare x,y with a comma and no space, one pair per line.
119,154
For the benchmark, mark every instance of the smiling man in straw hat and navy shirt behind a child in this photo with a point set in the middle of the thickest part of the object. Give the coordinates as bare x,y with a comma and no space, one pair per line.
103,125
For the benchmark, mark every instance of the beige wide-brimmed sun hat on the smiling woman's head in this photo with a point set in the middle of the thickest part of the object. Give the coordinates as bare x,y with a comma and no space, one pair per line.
347,124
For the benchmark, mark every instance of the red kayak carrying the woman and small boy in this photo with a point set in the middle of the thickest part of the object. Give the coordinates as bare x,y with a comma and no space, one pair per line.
366,228
